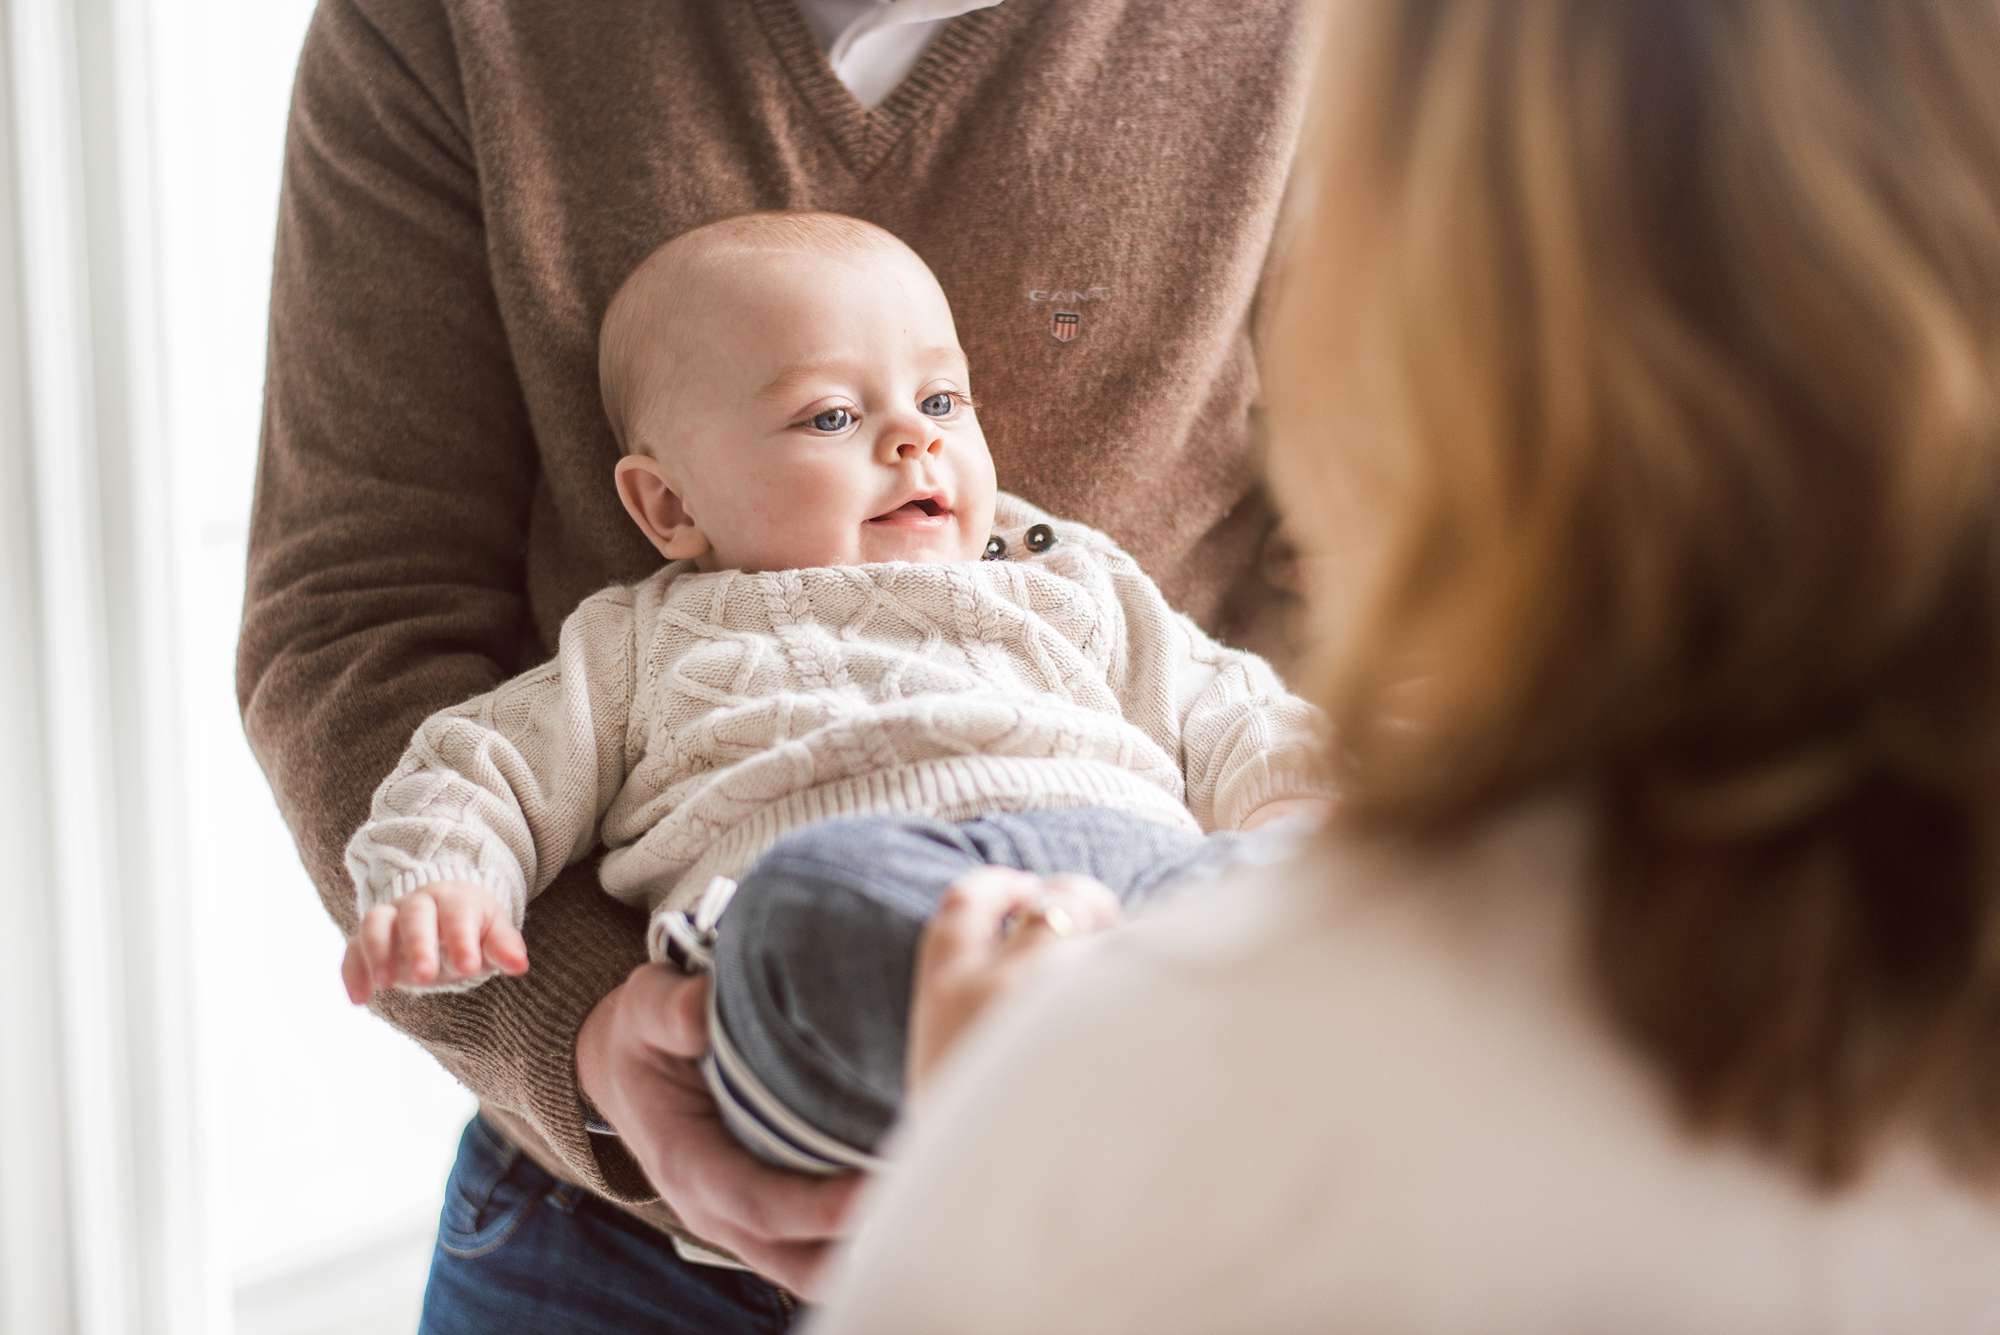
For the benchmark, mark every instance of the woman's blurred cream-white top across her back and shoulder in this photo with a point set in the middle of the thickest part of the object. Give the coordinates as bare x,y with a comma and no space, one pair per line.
1371,1094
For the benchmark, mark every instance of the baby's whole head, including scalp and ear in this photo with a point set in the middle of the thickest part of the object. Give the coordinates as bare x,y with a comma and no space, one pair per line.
789,391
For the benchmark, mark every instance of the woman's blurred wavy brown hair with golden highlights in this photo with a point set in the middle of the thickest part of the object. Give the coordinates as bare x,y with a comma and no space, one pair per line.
1635,399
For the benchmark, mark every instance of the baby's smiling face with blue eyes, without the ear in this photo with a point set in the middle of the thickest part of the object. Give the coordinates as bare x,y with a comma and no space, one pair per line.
823,417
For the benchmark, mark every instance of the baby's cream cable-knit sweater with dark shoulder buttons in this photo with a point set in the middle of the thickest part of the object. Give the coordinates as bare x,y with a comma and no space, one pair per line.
691,720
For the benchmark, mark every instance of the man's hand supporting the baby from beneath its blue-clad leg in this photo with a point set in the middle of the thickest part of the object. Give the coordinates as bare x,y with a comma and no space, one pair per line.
637,1062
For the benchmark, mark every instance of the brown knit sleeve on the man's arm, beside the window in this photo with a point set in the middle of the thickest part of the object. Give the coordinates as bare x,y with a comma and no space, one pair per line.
387,533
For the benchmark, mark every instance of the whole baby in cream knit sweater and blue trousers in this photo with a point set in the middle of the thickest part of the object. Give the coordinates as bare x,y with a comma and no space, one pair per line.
861,674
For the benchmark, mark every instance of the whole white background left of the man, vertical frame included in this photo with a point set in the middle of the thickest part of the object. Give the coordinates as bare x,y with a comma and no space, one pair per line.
207,1048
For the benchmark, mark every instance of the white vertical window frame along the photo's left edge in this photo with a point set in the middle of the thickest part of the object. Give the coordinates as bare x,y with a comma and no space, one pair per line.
103,1210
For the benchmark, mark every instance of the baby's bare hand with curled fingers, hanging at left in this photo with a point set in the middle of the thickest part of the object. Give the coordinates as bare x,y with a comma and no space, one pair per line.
401,944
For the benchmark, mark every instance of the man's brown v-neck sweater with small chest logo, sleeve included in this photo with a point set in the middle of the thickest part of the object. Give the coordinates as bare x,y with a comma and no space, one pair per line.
469,181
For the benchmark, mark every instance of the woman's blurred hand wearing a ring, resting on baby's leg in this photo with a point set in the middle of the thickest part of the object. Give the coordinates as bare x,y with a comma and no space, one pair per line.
989,928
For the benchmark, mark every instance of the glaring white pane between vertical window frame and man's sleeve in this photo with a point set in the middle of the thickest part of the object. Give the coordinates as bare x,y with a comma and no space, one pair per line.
295,1068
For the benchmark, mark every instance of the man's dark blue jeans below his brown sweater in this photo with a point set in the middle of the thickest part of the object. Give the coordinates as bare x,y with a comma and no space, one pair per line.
527,1254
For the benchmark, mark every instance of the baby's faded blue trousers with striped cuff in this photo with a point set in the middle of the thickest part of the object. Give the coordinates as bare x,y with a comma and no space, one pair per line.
815,958
